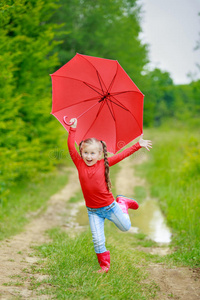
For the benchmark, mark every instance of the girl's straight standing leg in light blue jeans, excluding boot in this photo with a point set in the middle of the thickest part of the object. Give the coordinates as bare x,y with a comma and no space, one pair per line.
97,229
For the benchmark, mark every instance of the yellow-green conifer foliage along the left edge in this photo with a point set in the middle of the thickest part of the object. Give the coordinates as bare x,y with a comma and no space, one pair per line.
28,132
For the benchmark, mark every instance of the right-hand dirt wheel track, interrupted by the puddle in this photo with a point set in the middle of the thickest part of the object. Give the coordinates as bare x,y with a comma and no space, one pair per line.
174,282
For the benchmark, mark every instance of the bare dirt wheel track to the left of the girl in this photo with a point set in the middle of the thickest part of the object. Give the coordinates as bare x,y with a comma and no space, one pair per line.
16,258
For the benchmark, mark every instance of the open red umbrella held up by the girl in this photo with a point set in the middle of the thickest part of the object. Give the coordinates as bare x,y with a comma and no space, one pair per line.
102,96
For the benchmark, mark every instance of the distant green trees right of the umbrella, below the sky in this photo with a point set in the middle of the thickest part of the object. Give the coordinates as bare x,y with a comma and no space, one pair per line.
164,101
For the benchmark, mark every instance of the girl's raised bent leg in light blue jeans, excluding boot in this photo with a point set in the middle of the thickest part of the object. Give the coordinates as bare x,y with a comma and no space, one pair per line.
120,219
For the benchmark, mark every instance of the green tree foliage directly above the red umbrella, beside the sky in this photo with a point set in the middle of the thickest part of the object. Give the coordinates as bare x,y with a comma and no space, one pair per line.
103,28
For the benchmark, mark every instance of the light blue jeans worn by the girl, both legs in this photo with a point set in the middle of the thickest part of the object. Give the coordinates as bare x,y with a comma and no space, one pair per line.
97,217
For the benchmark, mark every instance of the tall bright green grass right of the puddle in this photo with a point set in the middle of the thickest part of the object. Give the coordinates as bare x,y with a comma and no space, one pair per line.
173,172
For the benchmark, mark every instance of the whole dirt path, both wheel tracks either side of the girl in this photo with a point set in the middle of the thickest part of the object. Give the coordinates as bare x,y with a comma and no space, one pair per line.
17,259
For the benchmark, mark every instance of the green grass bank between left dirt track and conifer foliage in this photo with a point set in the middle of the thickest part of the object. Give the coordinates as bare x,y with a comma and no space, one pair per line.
27,199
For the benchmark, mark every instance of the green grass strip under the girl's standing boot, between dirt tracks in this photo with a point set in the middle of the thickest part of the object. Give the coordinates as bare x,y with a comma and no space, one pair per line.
72,266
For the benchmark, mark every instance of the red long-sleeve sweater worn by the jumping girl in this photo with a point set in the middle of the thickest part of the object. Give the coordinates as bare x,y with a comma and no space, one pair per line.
92,178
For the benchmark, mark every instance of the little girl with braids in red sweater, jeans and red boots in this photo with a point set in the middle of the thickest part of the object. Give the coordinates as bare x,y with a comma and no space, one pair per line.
96,187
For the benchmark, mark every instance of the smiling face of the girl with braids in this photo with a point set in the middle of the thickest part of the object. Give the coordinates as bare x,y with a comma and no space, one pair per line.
91,154
